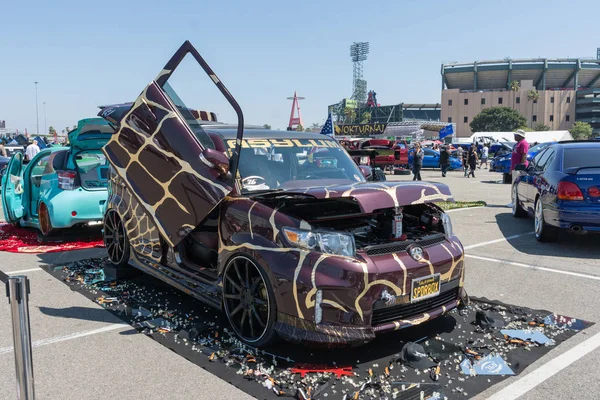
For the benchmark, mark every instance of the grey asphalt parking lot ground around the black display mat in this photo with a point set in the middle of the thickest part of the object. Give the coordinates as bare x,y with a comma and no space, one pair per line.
82,351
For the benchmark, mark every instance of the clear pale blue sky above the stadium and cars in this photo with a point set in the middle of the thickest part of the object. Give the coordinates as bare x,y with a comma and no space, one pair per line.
106,52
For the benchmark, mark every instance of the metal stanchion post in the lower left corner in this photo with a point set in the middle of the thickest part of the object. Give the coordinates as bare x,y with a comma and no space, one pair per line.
17,290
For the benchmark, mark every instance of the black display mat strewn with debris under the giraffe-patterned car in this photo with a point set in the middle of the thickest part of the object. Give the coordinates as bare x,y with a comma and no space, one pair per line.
200,334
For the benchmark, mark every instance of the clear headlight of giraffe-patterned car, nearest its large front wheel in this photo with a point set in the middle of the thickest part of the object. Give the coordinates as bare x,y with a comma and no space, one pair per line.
325,242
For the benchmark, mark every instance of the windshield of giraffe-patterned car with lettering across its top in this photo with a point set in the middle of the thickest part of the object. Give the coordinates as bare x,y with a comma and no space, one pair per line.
270,164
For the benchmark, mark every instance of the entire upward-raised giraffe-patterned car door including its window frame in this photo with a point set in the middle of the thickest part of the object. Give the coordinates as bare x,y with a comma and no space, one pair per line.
164,155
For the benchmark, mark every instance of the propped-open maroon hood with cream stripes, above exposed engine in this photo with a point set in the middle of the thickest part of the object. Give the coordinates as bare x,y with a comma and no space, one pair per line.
375,196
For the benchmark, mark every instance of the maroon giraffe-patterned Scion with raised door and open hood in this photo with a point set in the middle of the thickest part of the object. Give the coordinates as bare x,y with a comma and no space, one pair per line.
280,230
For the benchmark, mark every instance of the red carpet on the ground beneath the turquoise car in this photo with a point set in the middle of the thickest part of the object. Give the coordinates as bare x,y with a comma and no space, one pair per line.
21,240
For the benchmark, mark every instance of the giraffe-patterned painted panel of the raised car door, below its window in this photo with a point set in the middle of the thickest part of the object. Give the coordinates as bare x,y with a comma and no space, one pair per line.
154,152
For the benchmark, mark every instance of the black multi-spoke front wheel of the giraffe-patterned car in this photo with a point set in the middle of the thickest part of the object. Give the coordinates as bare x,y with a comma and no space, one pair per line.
249,301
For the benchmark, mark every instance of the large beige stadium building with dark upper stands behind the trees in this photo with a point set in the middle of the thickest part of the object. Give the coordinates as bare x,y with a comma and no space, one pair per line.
569,91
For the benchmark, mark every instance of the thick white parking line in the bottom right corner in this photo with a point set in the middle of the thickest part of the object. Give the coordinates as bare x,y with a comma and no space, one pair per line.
539,375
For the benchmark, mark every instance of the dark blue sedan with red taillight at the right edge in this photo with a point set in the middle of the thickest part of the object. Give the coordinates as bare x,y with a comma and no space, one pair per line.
561,189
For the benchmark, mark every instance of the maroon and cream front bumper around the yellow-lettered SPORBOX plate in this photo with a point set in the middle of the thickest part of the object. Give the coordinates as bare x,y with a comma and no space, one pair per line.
373,297
